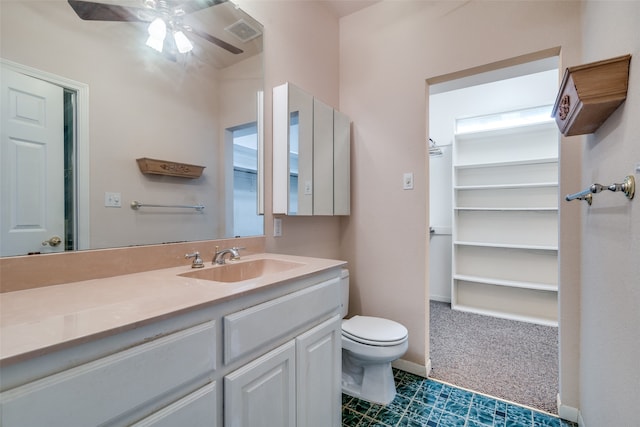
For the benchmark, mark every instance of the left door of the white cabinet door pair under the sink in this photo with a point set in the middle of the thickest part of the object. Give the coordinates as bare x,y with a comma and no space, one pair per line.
263,392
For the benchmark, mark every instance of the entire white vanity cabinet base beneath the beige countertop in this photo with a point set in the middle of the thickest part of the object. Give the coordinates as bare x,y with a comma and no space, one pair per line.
274,355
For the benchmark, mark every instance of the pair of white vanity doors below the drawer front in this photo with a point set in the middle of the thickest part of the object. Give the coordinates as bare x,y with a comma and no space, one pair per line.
296,384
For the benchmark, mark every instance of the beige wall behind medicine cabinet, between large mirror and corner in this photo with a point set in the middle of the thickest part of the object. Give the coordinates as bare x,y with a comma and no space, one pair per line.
301,46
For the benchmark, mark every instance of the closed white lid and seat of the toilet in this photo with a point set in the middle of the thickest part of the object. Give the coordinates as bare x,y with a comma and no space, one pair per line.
374,330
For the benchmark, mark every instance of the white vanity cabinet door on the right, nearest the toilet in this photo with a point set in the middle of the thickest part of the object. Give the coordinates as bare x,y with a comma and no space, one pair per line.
318,368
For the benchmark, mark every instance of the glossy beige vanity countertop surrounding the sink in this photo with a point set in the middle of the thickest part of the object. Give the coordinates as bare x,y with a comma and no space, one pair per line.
36,321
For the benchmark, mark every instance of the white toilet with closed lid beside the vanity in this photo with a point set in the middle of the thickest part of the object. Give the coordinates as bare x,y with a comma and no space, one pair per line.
369,345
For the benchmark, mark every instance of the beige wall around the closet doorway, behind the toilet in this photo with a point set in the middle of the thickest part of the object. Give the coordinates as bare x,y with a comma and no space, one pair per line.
387,52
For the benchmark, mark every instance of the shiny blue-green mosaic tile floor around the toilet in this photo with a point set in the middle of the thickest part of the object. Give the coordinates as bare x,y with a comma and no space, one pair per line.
424,402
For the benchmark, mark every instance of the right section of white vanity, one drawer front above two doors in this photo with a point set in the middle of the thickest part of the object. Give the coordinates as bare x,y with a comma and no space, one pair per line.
297,383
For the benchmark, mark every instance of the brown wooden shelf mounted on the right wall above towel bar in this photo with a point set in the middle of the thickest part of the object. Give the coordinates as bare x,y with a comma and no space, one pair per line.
589,93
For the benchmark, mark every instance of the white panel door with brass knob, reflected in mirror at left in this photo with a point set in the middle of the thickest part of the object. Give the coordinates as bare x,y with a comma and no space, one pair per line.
32,159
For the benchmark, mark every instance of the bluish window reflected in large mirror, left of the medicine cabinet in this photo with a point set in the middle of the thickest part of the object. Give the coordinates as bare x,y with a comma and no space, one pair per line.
246,220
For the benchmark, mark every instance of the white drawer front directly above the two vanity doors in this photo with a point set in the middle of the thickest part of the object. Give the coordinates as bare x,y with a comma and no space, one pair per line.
258,327
